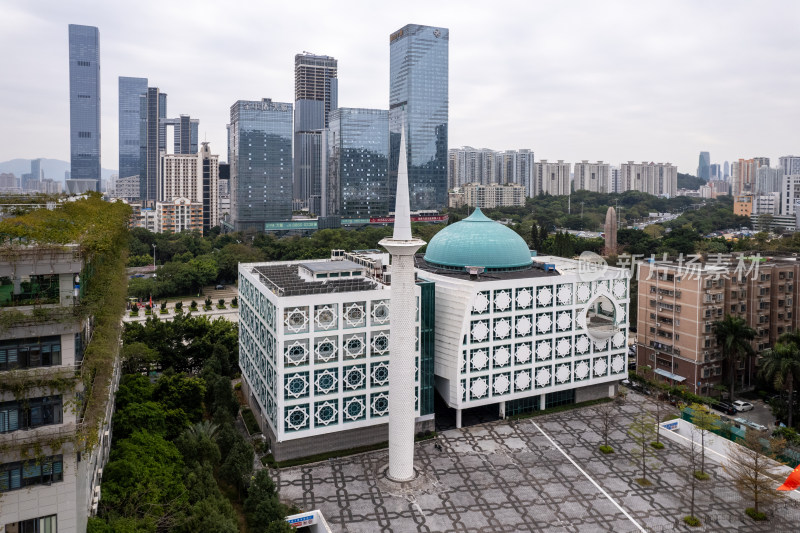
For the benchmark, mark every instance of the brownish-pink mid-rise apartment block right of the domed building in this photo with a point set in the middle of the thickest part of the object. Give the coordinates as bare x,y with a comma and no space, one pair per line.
678,304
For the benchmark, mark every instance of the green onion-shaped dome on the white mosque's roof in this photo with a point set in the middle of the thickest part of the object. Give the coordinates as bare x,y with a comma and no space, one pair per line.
478,241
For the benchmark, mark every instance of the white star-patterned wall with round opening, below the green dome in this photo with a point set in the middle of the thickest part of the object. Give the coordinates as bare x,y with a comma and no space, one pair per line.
547,347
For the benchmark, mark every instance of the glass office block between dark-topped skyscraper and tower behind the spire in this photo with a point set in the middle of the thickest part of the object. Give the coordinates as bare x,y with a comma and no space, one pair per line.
357,166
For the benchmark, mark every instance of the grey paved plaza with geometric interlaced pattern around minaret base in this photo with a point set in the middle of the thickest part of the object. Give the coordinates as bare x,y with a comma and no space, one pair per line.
541,474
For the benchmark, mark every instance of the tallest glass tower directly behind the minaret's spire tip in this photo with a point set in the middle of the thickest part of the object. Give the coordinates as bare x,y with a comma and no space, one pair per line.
418,98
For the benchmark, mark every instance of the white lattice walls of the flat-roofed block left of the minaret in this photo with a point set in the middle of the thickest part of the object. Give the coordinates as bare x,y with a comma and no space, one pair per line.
266,337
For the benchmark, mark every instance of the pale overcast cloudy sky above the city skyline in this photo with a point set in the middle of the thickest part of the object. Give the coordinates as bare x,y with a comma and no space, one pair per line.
611,80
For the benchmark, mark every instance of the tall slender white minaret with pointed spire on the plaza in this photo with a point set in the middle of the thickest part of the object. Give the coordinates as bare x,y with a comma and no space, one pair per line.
402,247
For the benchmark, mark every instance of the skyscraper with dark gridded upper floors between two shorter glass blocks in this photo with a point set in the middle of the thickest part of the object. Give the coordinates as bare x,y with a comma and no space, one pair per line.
316,95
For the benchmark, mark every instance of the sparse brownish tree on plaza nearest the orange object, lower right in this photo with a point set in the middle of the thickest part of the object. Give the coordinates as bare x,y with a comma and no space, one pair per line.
755,471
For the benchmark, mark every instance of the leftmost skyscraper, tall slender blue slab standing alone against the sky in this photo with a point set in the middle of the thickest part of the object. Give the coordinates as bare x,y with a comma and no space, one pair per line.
84,102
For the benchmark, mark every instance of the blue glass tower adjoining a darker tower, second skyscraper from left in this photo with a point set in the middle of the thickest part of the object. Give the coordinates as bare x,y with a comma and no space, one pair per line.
130,92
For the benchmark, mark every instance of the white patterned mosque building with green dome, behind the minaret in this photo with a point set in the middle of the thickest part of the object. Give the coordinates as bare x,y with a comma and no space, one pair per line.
494,325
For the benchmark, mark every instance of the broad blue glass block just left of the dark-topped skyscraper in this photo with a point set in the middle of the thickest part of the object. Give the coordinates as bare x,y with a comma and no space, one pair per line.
261,163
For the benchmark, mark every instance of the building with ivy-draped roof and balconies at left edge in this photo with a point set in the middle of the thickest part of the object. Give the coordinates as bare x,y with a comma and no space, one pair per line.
55,407
